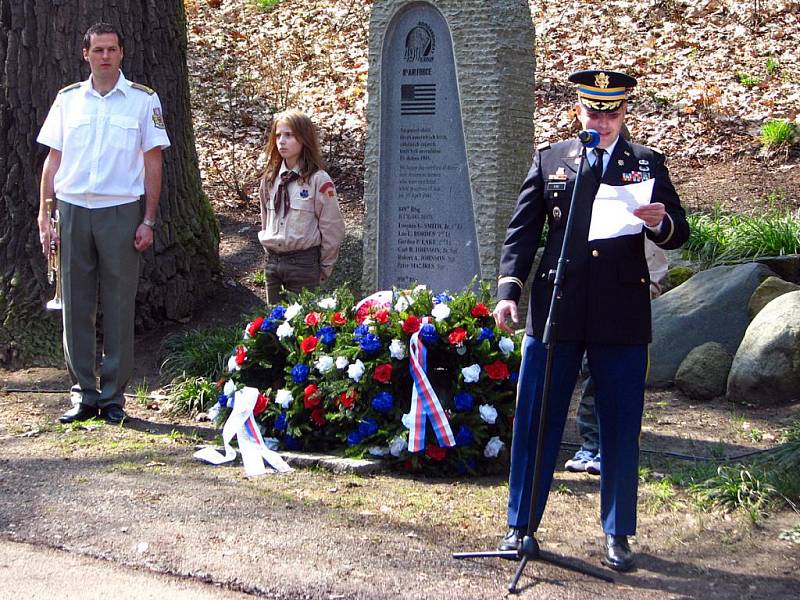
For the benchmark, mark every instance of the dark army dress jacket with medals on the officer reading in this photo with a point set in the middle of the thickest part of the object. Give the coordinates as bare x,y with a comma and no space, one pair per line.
605,292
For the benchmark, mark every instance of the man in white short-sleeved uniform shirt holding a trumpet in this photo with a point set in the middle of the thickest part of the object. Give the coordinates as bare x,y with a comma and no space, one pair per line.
105,136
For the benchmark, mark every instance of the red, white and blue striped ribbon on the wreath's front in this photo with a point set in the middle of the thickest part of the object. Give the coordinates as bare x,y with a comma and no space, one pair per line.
424,401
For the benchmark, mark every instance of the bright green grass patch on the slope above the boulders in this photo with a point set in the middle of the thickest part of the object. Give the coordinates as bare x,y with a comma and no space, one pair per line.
717,238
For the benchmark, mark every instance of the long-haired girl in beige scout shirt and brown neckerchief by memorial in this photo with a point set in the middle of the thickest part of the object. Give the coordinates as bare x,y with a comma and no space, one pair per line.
301,225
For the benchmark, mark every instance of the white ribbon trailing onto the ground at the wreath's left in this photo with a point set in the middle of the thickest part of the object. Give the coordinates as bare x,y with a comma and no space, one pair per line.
242,425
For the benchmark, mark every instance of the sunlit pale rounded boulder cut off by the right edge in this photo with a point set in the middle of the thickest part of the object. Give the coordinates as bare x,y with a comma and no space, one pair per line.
766,368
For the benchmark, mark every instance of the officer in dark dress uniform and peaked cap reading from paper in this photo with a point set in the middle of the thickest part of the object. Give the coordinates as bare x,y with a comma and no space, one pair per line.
604,311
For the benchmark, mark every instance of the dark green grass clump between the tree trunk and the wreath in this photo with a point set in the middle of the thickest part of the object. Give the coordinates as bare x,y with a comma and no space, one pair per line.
199,353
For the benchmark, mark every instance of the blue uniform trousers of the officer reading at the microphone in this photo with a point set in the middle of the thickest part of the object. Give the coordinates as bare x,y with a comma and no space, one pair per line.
619,373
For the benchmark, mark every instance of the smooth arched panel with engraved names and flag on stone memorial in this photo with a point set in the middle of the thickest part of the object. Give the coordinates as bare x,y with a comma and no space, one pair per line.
426,231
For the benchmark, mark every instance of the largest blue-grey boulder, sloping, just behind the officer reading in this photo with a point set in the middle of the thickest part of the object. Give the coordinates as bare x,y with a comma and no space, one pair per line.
709,307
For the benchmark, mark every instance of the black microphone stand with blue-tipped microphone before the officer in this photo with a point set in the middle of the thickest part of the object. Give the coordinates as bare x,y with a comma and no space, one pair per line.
530,547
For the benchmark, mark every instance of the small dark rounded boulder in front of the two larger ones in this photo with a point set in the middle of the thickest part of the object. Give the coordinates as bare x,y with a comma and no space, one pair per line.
704,372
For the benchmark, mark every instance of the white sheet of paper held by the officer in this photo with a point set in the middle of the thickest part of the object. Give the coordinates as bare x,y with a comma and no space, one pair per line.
612,213
